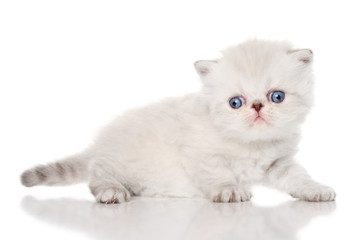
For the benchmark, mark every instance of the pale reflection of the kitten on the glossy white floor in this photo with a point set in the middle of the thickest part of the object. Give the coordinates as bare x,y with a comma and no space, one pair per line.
147,218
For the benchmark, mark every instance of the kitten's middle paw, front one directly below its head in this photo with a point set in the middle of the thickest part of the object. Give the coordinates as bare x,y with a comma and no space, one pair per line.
231,195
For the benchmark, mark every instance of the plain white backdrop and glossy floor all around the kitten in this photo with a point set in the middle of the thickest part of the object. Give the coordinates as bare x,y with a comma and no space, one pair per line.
67,67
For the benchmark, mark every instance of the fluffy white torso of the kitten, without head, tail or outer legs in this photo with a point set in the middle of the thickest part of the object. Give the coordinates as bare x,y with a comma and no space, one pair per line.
183,144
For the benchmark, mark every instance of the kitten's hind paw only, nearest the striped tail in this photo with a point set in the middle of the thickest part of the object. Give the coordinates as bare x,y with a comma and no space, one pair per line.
113,195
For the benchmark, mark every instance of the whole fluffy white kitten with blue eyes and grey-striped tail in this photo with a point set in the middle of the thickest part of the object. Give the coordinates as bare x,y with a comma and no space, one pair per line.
241,129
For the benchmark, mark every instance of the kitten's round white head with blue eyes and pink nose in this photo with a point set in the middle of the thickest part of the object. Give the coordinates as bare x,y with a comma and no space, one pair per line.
258,90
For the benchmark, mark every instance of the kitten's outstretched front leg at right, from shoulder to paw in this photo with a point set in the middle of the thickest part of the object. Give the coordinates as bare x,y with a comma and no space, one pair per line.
290,177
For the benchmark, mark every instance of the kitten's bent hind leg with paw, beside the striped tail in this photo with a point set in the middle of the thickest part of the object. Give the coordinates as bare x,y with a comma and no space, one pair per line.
105,186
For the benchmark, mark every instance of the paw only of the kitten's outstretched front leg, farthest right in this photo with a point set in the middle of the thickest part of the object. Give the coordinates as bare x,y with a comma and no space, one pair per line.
318,193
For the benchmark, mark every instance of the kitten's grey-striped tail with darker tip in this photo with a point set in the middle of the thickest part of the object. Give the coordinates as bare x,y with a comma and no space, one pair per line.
70,170
